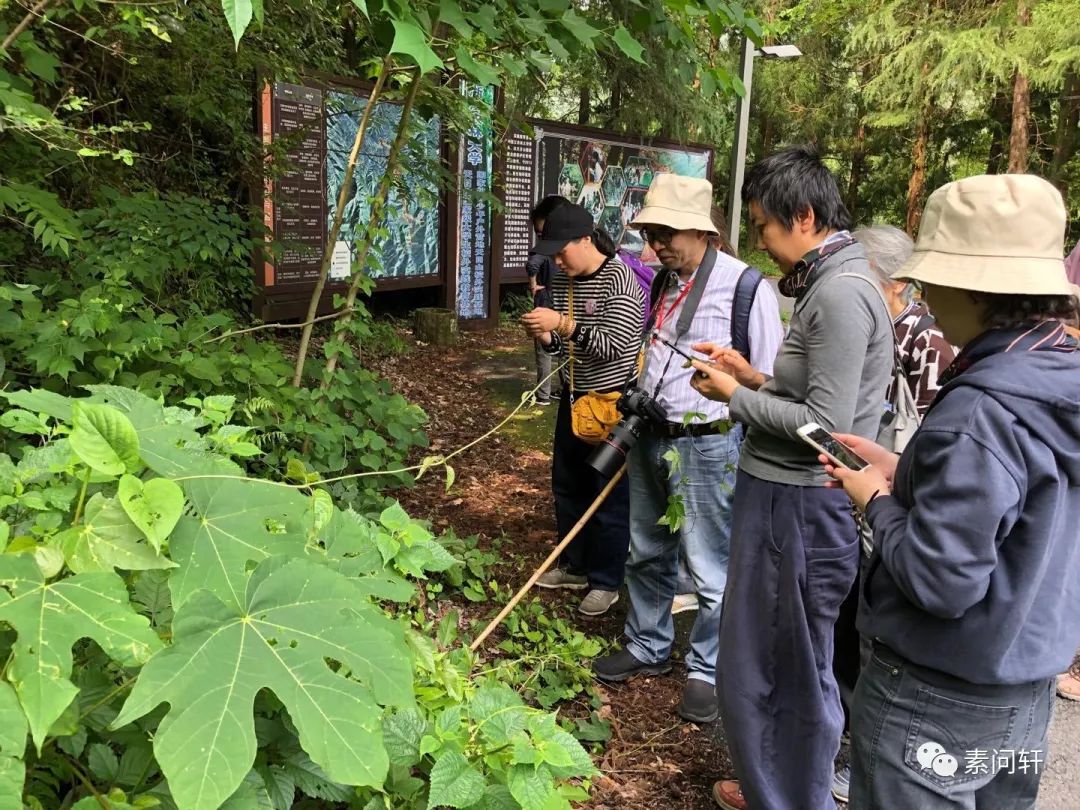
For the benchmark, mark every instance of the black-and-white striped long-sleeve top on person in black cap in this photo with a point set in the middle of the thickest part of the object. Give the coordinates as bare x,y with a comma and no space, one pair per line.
607,308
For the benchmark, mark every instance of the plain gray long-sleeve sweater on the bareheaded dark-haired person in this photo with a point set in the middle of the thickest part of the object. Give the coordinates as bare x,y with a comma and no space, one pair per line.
833,369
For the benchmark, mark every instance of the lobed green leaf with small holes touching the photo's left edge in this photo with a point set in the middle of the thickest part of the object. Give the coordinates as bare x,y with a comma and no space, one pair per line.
50,618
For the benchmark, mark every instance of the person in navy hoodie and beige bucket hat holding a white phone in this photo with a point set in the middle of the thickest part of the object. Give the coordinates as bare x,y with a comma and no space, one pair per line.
975,582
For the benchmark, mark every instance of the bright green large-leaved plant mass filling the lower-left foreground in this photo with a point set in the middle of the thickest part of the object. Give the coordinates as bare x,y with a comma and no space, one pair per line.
180,634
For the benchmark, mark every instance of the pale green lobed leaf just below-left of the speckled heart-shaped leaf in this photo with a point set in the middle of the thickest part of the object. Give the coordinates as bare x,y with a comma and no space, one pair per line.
109,539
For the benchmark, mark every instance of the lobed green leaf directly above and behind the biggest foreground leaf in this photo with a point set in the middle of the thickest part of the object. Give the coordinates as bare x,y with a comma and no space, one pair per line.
235,523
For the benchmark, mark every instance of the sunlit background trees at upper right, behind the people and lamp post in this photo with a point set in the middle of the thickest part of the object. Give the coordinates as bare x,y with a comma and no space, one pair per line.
900,96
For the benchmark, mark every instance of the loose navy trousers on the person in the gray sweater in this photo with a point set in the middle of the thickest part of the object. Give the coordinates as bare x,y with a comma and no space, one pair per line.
794,558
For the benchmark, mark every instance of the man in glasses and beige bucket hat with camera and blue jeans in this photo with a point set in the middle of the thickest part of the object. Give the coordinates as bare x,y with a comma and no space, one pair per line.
700,295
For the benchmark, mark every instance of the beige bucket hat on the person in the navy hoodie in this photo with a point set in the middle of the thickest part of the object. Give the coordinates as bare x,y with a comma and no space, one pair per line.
993,234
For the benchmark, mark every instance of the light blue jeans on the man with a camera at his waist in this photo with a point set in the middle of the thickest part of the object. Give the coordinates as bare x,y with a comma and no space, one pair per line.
706,480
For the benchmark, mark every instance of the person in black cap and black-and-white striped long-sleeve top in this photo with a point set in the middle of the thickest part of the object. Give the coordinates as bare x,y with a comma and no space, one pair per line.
595,322
